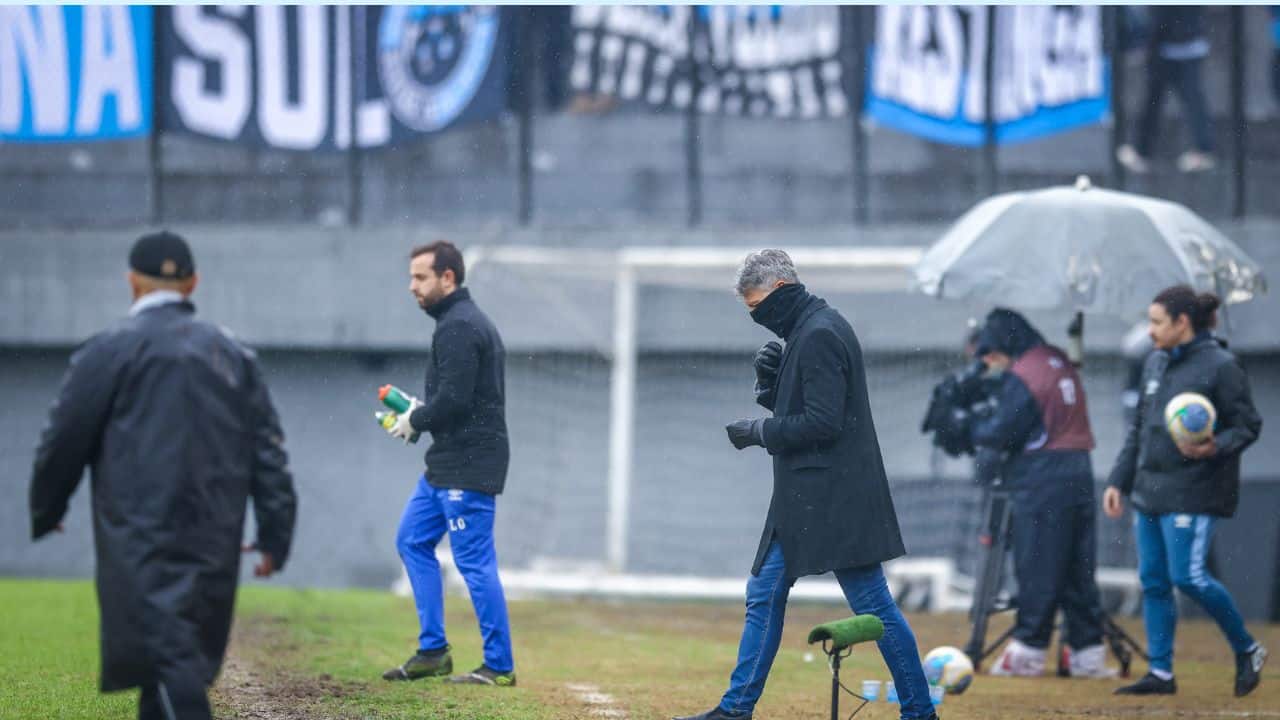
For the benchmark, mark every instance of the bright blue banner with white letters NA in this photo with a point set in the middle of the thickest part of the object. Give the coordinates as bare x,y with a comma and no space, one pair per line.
75,74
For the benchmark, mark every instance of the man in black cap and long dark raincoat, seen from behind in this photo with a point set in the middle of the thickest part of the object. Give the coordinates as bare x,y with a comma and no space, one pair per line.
175,420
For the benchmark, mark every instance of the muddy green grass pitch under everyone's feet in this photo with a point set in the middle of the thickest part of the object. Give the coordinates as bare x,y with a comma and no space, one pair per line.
319,654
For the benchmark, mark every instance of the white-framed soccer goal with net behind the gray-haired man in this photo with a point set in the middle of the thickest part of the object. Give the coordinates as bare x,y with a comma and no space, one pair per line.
623,370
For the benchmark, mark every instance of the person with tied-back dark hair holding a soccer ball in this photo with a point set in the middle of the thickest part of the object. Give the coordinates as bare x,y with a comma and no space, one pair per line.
1180,490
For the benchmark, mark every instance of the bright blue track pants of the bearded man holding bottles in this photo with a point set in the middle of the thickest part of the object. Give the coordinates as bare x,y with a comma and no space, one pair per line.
468,517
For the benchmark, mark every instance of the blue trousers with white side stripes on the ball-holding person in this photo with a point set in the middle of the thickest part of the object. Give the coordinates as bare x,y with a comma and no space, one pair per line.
1172,553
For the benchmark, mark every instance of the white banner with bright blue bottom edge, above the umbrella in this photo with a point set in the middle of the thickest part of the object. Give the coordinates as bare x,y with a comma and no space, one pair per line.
926,75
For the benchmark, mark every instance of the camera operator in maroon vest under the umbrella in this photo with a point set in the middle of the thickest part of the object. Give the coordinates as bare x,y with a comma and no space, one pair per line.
1036,436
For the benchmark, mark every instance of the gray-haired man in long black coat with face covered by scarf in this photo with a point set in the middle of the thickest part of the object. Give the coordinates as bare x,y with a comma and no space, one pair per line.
831,507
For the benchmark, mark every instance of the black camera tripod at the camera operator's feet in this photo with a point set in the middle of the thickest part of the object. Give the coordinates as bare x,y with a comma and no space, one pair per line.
998,504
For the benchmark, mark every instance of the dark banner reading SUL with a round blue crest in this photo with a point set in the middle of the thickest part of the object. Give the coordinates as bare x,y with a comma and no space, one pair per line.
282,76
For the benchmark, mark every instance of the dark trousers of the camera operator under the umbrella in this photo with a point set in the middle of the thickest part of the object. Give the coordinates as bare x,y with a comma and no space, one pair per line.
1055,557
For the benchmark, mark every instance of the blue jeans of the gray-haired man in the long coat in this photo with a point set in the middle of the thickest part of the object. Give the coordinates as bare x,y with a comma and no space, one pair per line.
867,595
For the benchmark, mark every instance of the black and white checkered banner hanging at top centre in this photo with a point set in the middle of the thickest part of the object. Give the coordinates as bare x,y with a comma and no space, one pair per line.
760,61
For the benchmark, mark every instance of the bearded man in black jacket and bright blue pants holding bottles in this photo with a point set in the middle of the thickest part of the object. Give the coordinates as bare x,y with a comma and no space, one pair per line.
464,408
